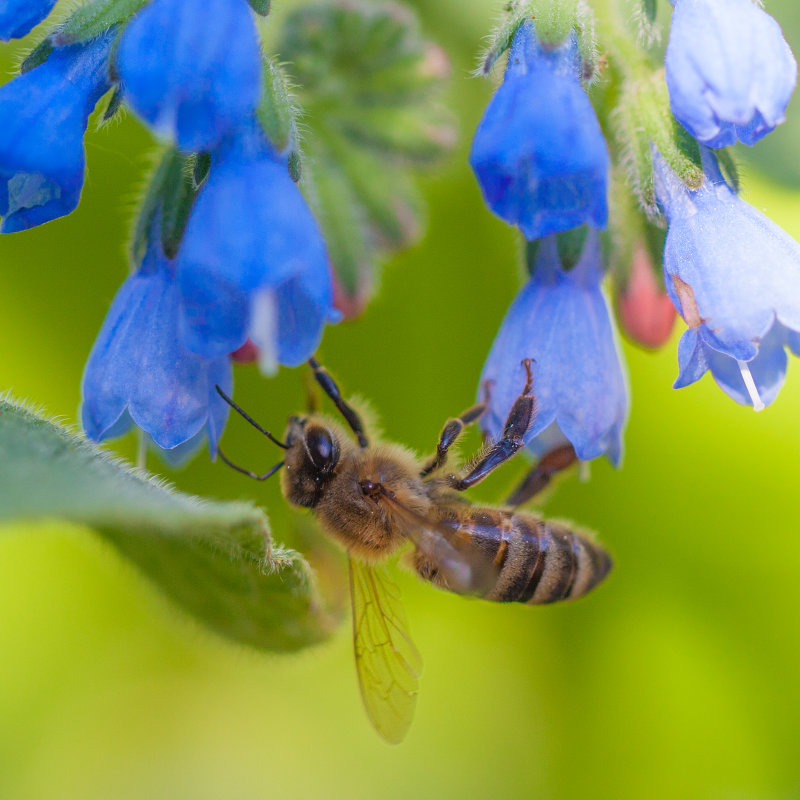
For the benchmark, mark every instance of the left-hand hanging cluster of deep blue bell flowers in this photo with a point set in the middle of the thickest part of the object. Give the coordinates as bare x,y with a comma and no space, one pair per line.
227,251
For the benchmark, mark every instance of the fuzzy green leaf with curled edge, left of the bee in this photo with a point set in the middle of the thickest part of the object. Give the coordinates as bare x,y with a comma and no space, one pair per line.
214,559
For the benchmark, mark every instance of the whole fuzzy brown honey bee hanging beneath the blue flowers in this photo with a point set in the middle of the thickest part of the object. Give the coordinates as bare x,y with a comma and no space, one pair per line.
375,498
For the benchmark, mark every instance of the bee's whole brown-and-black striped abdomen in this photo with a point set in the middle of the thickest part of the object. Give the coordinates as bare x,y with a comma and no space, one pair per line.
513,557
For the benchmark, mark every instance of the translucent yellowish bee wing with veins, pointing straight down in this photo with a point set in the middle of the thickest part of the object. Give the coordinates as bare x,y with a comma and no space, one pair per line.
387,662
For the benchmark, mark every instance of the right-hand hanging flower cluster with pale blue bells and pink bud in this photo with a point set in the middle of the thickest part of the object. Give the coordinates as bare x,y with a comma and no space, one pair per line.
542,162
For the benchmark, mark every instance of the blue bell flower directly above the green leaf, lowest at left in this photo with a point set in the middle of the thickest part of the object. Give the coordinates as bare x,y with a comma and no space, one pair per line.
140,373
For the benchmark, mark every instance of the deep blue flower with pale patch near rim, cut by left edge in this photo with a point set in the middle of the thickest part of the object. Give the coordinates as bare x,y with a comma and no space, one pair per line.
43,116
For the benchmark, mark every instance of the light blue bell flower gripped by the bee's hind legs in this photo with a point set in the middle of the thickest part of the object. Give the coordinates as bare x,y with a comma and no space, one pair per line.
561,320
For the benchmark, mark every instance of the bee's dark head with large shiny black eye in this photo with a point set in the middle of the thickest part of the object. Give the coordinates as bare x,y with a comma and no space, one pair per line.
311,457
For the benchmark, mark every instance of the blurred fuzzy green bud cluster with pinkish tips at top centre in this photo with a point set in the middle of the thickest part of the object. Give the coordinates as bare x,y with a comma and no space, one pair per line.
368,83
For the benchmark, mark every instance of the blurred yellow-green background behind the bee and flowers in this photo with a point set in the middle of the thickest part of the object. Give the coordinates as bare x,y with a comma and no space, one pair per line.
677,678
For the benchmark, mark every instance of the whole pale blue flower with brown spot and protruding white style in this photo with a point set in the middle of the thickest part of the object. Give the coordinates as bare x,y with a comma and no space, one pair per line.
734,276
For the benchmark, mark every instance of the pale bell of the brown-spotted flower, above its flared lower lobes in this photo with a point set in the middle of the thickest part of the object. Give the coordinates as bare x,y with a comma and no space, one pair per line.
728,269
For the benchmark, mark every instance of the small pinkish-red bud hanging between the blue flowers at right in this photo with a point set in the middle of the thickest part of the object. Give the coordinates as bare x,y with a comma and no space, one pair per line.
645,311
